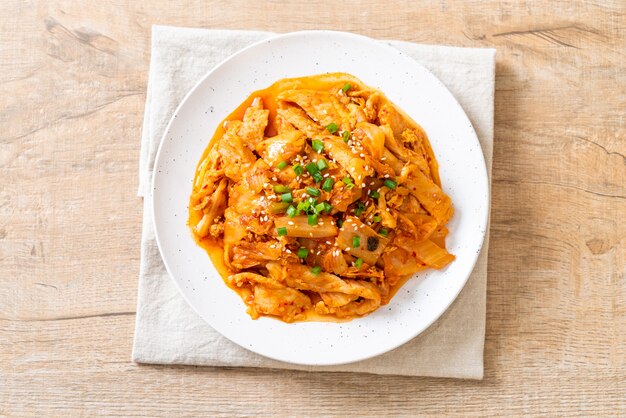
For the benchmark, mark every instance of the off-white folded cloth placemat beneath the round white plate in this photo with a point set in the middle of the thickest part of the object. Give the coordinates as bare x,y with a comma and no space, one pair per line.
168,331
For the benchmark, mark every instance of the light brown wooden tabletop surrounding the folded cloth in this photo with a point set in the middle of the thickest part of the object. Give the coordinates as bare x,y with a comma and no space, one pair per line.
72,92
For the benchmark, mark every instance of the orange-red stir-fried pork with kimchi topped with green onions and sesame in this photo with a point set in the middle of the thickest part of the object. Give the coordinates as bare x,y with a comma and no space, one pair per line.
320,198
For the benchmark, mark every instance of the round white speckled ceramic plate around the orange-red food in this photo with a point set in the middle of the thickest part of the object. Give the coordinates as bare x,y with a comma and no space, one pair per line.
410,86
